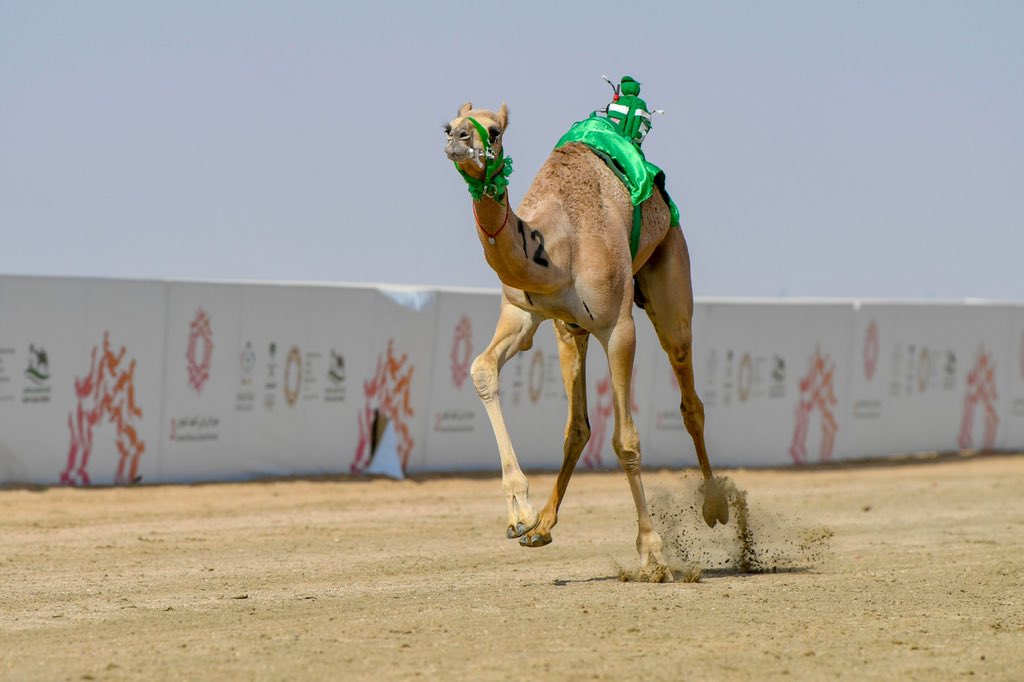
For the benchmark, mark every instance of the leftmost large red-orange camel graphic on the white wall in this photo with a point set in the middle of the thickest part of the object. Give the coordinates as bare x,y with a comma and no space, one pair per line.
106,394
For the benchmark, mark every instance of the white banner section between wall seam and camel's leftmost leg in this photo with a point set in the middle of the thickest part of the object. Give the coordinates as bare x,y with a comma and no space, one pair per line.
459,435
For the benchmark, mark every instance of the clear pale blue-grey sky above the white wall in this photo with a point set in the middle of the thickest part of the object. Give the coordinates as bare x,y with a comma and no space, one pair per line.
870,149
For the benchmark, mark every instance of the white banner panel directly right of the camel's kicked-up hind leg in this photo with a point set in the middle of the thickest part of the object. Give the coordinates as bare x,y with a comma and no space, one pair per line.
774,380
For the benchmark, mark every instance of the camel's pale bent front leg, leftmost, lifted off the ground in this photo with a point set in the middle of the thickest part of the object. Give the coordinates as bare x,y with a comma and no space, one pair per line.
515,333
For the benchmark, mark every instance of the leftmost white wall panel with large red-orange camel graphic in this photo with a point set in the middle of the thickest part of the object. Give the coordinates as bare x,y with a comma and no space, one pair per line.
81,369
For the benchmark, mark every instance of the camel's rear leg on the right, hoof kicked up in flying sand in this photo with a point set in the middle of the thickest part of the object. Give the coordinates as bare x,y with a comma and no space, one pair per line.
665,288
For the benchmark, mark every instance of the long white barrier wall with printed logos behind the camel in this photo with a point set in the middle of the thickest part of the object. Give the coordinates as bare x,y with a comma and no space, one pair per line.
108,382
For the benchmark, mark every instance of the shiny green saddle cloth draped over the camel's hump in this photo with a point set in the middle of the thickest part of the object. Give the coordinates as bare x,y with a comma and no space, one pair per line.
627,161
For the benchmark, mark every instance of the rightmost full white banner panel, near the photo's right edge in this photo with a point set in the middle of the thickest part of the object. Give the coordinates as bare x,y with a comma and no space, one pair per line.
929,377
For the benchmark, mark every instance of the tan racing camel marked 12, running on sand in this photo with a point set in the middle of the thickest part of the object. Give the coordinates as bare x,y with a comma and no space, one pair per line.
565,255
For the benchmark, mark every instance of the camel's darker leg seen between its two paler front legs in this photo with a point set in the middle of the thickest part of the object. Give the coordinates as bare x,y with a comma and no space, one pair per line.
573,359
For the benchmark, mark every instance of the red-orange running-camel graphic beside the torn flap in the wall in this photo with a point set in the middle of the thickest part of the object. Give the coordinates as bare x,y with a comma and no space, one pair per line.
388,394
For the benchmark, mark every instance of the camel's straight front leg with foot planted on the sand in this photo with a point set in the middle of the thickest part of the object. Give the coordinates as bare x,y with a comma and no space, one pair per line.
621,348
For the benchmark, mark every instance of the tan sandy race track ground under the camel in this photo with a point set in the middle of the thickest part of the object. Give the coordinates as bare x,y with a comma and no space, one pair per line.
912,572
